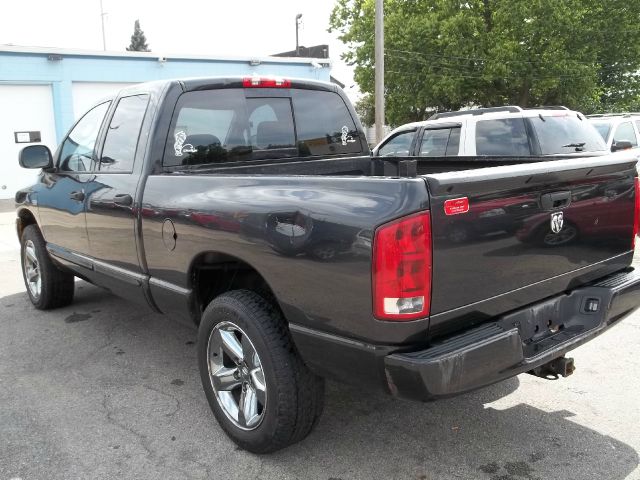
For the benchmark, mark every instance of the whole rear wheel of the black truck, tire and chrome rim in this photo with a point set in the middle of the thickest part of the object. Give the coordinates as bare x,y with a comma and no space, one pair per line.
262,394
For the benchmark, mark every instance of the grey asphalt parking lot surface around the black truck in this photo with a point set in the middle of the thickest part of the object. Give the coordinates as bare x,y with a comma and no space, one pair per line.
106,389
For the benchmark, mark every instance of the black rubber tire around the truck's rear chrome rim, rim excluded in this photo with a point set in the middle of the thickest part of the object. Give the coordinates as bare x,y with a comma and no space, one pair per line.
294,395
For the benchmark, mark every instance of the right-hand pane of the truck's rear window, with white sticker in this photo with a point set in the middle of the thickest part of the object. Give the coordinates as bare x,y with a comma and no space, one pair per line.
324,124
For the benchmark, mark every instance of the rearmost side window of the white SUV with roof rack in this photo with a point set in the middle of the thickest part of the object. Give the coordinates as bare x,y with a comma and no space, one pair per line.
502,137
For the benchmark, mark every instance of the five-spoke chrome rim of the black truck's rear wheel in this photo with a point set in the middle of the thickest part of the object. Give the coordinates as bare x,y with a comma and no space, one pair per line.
236,375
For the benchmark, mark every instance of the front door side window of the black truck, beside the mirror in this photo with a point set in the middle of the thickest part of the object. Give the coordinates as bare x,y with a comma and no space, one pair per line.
76,152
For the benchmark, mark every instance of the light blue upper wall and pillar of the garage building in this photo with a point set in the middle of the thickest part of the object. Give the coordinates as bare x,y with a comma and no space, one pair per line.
35,67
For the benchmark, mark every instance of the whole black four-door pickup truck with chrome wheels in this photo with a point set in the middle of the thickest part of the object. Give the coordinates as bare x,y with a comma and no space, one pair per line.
251,207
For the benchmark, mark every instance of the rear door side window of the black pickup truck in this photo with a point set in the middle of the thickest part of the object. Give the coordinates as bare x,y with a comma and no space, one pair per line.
120,144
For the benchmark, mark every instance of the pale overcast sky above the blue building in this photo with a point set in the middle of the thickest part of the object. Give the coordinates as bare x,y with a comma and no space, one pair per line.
214,27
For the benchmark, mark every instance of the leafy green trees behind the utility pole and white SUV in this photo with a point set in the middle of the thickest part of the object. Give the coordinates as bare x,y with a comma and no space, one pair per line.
446,54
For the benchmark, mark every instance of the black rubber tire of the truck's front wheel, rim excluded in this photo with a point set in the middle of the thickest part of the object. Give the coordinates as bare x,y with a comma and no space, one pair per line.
56,286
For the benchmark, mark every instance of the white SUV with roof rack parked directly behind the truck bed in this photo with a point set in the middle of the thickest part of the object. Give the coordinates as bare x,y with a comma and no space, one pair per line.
497,131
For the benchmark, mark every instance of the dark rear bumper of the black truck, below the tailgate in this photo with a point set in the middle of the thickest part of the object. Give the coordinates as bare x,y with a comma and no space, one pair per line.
515,343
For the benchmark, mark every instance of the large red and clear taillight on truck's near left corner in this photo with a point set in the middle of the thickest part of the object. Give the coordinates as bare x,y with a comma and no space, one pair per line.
402,268
